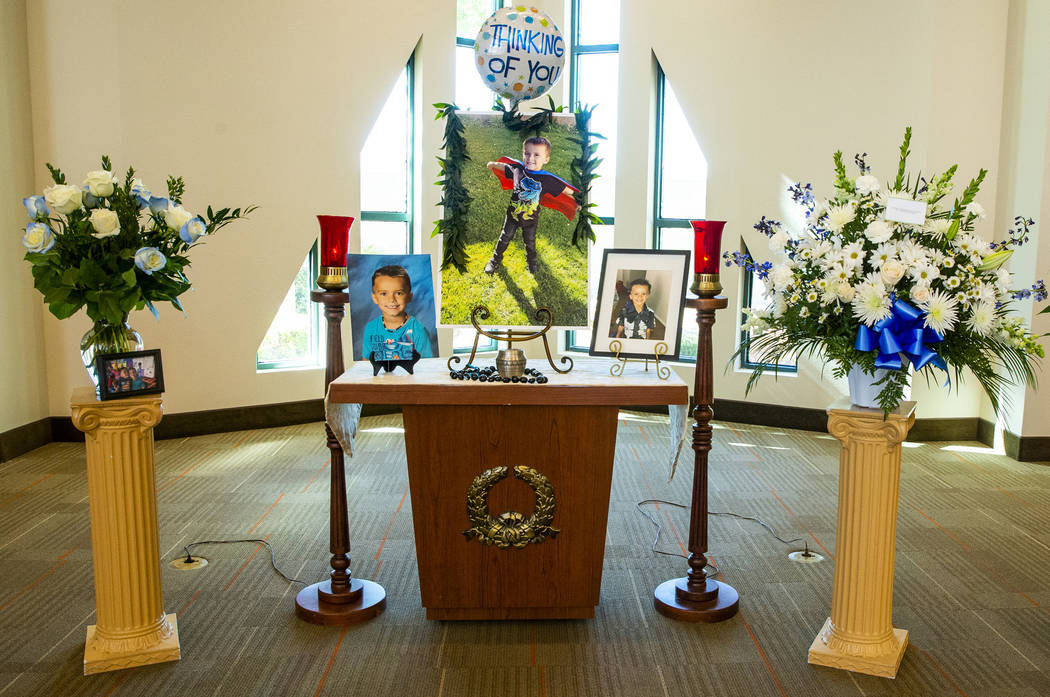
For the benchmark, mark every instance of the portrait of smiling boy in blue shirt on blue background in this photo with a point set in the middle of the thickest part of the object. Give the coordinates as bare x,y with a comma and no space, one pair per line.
392,311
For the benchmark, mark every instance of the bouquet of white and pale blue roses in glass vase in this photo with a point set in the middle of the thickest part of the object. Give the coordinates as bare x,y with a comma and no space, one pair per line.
112,247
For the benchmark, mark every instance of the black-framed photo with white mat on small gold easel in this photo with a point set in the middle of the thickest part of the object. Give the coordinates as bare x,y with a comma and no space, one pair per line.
658,279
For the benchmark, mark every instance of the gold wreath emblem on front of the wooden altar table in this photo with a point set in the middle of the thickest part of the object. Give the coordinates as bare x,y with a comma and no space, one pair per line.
512,529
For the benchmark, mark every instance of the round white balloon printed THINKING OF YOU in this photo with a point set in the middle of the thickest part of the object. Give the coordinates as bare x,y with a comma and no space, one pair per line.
519,53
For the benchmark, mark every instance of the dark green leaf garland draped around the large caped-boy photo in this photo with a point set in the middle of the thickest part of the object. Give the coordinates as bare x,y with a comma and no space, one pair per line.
456,200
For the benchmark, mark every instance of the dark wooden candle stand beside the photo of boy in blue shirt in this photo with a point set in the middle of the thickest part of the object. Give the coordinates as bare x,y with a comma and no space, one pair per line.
342,600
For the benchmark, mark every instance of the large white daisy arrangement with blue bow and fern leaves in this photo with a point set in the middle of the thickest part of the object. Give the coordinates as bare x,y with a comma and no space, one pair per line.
886,277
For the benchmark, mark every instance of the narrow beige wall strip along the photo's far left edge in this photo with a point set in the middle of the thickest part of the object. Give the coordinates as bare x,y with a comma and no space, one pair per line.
24,384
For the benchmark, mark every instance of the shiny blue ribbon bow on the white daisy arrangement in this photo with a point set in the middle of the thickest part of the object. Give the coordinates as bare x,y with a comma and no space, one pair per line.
904,332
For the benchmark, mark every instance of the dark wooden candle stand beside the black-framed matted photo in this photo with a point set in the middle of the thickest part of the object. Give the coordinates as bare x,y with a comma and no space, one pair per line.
696,598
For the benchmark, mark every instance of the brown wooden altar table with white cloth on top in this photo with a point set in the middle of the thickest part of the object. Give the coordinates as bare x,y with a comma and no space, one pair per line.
562,438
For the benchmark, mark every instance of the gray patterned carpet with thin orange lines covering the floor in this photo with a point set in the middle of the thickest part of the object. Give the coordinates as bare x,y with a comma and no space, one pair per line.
972,587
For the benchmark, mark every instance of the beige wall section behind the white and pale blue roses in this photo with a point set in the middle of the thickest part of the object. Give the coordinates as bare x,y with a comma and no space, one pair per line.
264,103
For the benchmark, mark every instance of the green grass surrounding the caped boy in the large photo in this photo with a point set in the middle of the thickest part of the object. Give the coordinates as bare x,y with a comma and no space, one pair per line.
513,294
